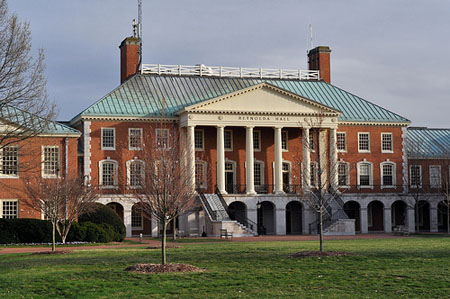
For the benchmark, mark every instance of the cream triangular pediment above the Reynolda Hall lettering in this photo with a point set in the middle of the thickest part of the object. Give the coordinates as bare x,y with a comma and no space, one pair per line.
262,98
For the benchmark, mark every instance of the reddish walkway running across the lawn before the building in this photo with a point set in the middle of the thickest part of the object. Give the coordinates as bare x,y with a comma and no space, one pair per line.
30,249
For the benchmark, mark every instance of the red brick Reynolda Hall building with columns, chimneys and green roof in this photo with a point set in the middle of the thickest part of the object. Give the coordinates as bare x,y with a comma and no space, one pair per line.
253,135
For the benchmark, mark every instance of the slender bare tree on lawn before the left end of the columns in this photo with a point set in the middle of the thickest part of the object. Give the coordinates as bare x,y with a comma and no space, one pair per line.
165,191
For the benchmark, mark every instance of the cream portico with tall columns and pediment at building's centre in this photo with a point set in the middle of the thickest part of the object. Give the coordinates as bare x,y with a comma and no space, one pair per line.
246,109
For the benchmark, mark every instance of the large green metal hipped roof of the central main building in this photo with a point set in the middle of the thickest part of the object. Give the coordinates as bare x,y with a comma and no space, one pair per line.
143,95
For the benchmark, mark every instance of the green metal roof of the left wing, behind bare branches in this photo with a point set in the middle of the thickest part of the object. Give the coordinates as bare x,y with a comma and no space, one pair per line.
25,119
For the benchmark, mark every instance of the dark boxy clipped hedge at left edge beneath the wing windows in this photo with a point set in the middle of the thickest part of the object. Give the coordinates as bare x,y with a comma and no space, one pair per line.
26,231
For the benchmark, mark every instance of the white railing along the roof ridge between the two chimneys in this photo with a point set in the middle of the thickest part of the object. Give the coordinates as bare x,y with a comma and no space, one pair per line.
230,72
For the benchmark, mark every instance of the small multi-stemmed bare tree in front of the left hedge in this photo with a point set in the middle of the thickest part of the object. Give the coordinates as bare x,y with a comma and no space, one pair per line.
60,201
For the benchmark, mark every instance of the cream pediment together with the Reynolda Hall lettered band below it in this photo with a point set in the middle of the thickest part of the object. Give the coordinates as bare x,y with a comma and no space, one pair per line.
262,105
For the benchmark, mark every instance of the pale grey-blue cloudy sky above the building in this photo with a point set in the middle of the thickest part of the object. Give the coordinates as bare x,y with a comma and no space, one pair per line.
395,54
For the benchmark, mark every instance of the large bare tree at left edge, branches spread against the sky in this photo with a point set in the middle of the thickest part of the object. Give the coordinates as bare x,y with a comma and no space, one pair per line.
24,107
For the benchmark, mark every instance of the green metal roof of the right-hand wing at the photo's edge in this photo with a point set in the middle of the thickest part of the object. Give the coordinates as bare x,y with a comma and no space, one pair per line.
428,143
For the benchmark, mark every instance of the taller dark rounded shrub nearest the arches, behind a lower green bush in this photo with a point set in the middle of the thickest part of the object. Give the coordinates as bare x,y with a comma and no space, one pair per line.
104,214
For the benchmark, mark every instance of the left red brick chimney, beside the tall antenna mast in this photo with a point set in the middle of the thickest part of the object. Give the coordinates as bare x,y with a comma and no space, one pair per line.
129,57
